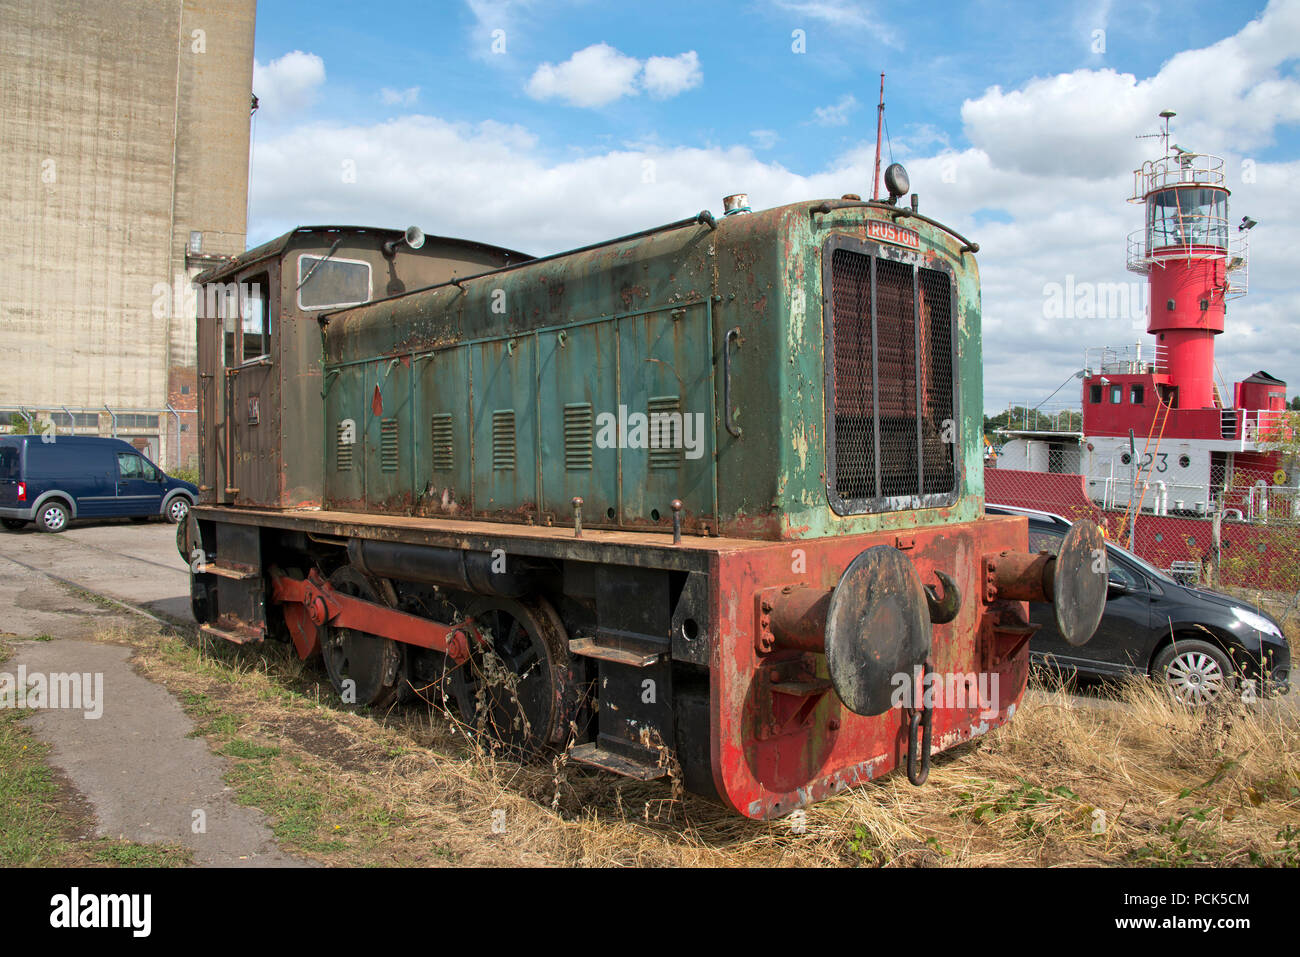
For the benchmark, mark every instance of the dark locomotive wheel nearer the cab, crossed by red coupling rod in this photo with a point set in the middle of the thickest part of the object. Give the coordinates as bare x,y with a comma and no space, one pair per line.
366,670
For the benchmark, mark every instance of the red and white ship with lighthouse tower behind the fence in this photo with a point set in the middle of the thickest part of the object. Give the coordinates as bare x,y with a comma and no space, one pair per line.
1159,438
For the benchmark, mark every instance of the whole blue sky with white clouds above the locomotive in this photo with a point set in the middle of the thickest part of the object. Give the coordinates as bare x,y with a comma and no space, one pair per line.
1017,123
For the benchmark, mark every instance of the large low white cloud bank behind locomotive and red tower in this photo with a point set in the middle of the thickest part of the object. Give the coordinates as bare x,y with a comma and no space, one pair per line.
1052,214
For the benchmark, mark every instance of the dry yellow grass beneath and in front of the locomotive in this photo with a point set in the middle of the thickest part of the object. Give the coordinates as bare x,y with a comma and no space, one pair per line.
1137,780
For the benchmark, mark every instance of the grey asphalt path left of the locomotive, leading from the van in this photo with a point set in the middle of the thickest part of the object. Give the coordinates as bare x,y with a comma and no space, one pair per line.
127,748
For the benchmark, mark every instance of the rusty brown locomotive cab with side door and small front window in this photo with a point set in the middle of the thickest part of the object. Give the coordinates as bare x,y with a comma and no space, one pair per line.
261,379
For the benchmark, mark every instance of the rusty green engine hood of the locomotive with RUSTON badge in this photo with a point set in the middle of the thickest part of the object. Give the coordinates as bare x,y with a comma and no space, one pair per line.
499,395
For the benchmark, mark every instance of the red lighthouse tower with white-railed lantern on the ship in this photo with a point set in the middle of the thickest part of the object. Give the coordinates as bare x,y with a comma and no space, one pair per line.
1194,265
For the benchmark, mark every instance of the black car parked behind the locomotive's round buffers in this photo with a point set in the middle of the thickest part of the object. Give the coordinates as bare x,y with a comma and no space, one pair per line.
1198,643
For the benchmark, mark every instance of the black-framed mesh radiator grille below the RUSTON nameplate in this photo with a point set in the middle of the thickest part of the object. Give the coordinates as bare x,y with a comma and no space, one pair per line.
894,427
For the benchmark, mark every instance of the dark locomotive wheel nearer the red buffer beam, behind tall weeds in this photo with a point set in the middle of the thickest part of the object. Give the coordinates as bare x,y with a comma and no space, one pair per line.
521,688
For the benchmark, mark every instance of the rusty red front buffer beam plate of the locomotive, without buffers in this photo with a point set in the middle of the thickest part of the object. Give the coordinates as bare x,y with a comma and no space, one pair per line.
773,755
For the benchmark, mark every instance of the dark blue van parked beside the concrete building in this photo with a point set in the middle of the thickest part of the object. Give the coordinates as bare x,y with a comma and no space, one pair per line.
55,479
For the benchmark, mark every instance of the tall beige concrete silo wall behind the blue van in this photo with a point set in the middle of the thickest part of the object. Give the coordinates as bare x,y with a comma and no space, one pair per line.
124,129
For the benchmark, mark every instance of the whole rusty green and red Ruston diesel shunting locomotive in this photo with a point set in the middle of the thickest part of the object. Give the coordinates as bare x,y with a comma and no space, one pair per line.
701,500
